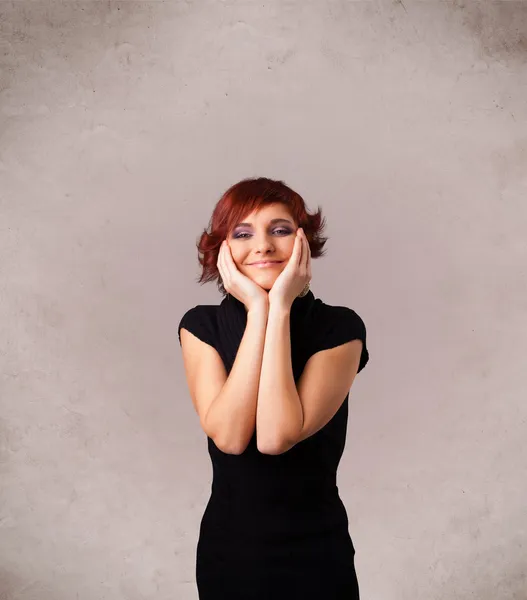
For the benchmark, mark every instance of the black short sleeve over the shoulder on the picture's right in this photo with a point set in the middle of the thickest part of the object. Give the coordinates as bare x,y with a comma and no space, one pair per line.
342,325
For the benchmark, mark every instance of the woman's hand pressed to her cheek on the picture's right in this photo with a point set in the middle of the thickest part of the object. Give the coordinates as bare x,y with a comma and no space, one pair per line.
295,276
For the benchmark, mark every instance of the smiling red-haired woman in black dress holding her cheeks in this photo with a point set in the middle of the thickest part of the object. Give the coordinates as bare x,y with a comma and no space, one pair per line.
269,371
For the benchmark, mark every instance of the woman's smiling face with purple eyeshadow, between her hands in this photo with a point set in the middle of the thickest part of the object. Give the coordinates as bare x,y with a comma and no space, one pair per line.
266,235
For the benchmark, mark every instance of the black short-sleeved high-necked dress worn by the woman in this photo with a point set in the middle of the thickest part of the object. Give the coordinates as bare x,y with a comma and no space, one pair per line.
275,526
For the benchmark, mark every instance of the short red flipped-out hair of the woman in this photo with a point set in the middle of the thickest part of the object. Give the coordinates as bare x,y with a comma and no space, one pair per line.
242,199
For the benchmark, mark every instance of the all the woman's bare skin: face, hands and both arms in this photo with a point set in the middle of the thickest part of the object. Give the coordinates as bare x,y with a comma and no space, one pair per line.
260,392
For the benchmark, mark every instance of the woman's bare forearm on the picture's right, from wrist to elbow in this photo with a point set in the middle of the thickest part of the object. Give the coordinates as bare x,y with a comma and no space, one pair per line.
279,415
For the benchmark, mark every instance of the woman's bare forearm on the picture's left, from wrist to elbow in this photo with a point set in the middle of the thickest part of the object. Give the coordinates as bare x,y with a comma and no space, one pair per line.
231,418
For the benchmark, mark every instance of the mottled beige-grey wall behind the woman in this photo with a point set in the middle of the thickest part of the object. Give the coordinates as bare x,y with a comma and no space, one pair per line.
122,123
